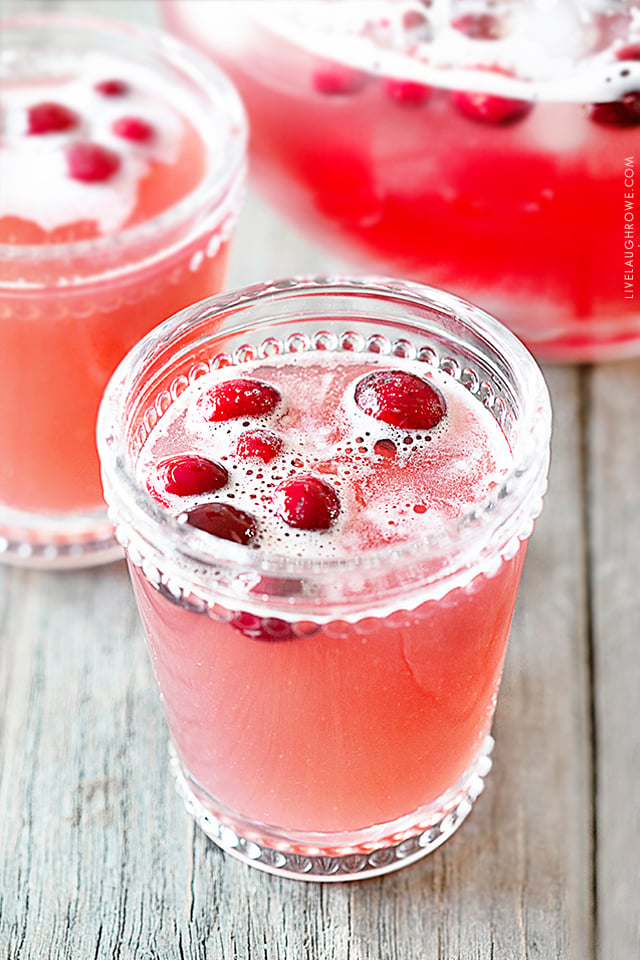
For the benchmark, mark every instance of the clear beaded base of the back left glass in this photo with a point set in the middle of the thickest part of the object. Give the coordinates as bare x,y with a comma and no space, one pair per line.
57,541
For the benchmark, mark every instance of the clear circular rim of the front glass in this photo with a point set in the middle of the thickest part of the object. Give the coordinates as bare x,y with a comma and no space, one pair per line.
525,479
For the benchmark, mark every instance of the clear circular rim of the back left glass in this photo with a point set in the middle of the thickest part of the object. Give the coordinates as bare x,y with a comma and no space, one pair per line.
212,187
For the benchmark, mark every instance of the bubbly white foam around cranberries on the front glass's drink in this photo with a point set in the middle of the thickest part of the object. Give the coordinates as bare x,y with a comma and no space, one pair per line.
464,456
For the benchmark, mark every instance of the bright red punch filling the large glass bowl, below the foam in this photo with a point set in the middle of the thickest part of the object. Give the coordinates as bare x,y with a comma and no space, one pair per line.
525,219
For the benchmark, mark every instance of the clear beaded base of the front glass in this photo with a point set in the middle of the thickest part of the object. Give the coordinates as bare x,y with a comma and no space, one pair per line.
381,849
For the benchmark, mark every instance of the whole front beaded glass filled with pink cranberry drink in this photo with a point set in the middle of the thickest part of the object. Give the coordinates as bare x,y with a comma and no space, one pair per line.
324,489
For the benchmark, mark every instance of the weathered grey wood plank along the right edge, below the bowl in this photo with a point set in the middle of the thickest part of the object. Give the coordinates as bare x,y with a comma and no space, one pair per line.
613,440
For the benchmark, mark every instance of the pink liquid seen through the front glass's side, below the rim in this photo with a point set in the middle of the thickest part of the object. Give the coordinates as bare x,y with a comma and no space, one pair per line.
332,733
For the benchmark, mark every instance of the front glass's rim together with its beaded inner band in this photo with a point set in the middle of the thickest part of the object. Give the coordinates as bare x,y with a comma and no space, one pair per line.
138,517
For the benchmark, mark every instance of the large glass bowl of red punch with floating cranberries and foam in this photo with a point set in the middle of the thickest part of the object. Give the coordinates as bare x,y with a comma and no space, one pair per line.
490,148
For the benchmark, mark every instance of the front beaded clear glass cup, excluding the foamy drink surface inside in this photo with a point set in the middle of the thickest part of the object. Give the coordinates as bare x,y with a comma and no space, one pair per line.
329,718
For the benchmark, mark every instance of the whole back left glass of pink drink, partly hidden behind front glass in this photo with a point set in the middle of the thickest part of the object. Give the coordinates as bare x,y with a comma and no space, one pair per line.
121,163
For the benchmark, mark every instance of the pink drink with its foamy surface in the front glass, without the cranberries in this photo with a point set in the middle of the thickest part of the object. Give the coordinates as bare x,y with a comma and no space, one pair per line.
338,726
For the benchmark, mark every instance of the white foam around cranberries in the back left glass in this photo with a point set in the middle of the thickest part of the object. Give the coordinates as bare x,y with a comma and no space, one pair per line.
34,182
